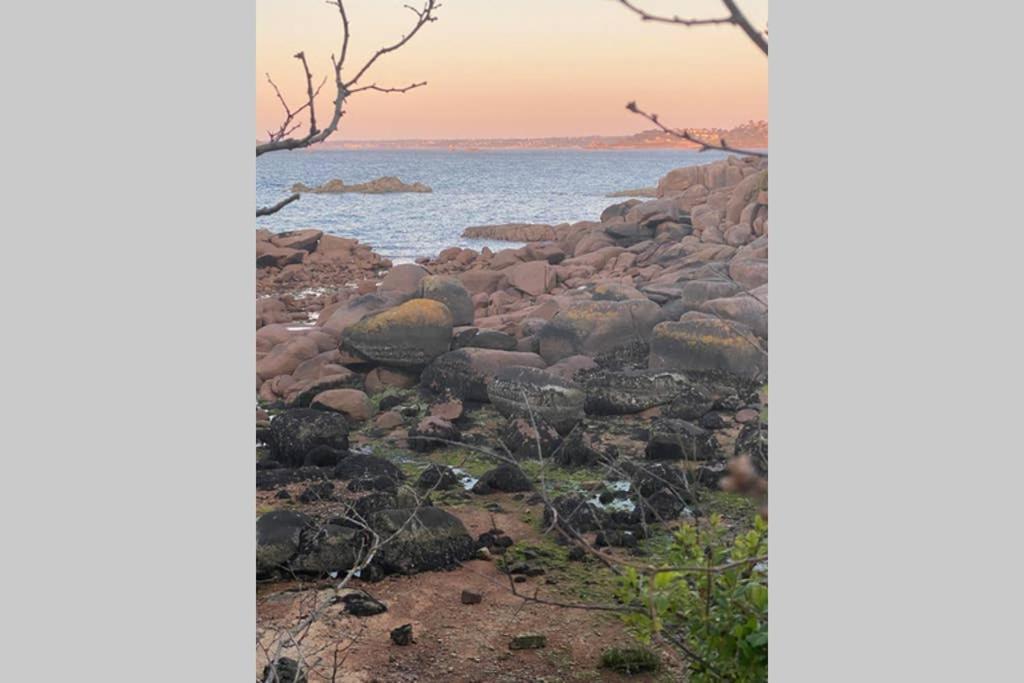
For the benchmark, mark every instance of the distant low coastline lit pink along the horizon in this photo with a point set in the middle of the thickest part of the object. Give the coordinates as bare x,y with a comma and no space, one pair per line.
752,136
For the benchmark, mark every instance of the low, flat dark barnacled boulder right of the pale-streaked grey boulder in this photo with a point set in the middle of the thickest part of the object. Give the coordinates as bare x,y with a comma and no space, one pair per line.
623,393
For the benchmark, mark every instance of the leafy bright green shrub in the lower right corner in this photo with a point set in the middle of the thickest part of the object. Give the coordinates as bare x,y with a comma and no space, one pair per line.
719,619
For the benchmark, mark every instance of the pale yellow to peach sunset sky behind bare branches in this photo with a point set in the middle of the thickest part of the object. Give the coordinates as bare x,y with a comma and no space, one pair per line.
517,68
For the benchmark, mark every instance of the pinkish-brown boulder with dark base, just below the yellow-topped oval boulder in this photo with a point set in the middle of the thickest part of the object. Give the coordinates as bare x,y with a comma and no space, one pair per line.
466,373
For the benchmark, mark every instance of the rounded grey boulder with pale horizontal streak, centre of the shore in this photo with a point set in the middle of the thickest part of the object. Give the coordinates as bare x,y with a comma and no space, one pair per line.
522,392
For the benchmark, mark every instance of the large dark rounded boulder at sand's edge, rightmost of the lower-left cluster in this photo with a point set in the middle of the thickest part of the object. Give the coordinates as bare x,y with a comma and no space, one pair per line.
421,540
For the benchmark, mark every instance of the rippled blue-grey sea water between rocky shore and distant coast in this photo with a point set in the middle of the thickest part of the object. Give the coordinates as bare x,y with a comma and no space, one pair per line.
471,189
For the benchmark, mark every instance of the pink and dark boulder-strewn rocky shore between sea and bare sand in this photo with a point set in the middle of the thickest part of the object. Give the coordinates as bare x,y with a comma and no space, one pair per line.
621,362
